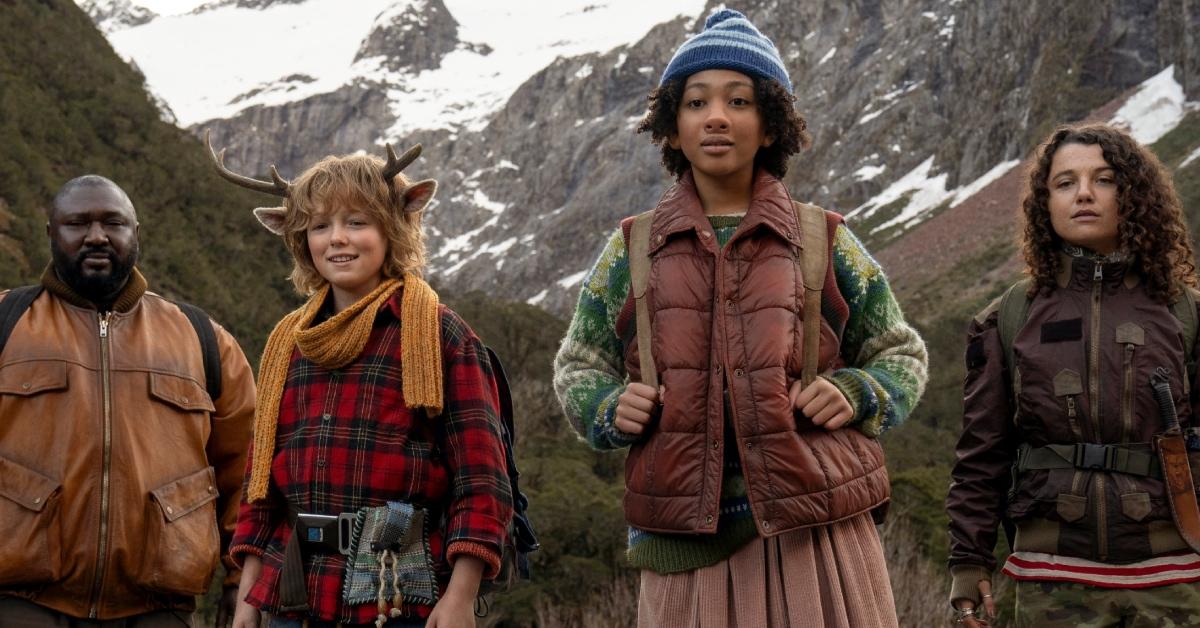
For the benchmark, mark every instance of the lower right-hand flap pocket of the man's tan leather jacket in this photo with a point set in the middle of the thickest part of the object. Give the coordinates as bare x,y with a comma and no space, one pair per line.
183,543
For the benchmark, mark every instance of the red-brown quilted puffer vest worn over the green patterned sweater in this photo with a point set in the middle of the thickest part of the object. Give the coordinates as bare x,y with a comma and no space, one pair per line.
730,320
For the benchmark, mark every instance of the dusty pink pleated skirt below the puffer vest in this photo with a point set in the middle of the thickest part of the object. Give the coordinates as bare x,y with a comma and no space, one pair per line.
829,577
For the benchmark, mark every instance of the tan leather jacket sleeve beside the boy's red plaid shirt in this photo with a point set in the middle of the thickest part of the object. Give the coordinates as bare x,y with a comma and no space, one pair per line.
230,440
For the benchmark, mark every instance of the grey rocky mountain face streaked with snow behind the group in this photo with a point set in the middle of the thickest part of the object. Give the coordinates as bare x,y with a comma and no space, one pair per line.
927,94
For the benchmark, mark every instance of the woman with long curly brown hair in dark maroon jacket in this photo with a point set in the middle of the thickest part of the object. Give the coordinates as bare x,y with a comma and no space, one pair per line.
1059,408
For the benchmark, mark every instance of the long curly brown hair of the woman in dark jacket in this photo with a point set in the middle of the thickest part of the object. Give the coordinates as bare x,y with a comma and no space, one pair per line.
1151,225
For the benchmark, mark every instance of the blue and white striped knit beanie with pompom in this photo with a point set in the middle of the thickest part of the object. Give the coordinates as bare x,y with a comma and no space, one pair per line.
729,43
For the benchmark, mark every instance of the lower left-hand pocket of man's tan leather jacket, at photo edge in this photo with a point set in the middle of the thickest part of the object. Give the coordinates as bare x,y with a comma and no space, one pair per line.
32,543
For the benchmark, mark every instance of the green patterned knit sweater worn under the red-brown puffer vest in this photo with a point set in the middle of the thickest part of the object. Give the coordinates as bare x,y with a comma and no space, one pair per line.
885,378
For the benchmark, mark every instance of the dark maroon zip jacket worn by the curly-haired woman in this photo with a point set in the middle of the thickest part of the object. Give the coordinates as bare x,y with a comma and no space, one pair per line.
1083,363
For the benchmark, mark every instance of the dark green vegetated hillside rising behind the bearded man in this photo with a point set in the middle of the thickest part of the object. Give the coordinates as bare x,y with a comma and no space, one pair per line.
69,106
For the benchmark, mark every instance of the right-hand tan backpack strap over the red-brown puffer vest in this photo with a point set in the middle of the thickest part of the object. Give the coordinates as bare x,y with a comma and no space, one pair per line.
814,266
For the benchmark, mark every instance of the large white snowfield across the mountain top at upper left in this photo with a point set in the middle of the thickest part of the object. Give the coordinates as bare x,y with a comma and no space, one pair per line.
223,59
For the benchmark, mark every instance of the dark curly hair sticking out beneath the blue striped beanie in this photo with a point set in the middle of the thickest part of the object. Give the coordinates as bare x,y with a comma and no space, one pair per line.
781,119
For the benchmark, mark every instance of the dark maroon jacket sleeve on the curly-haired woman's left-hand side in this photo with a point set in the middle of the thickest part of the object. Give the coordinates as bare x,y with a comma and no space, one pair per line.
986,451
